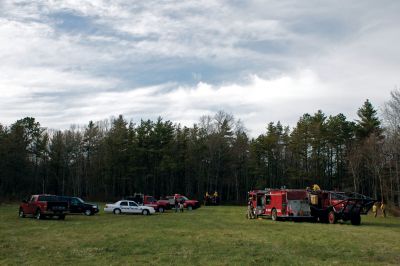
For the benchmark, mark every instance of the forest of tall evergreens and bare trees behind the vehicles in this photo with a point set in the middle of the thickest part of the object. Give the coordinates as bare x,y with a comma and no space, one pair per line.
108,159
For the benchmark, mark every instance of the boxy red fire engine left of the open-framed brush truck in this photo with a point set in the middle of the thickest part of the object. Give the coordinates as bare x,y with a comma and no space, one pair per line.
281,203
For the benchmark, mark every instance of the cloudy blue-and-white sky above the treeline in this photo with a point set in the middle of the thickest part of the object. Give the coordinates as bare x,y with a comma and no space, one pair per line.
72,61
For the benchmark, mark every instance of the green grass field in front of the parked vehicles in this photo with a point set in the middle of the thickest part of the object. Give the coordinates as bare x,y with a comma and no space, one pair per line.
207,236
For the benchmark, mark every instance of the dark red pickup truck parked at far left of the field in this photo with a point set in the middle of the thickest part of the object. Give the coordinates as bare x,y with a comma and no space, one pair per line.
40,206
